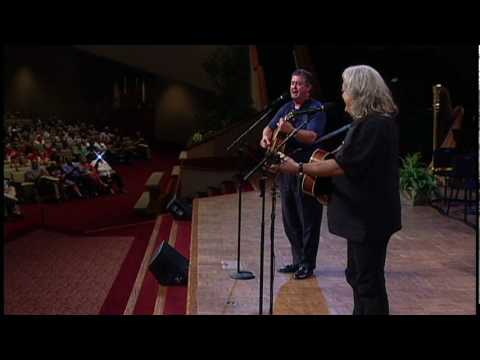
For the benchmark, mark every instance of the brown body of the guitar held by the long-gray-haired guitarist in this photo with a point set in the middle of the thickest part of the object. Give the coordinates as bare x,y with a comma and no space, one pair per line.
318,187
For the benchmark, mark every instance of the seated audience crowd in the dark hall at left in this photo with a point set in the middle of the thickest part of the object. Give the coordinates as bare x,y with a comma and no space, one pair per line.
53,160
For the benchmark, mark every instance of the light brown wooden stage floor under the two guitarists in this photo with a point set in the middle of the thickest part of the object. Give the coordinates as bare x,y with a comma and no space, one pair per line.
431,264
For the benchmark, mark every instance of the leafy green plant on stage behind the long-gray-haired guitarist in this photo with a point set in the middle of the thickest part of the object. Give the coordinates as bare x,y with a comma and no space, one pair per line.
417,182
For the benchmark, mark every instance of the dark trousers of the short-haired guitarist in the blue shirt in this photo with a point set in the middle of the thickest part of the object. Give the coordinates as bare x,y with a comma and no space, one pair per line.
302,217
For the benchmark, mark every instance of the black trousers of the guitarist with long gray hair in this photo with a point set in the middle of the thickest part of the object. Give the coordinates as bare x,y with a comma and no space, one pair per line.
365,273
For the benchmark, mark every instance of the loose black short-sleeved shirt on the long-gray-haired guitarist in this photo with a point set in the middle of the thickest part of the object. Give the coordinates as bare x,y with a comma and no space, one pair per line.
365,202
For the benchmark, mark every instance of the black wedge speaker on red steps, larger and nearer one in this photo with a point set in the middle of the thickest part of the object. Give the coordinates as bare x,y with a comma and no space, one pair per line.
169,266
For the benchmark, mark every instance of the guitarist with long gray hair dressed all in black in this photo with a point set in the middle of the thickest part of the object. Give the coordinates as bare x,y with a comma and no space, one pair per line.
364,206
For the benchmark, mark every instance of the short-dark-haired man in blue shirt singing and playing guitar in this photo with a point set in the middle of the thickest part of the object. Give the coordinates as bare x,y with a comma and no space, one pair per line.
302,214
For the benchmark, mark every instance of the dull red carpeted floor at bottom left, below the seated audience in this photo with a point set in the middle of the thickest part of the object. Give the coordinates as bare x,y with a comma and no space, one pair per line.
49,273
